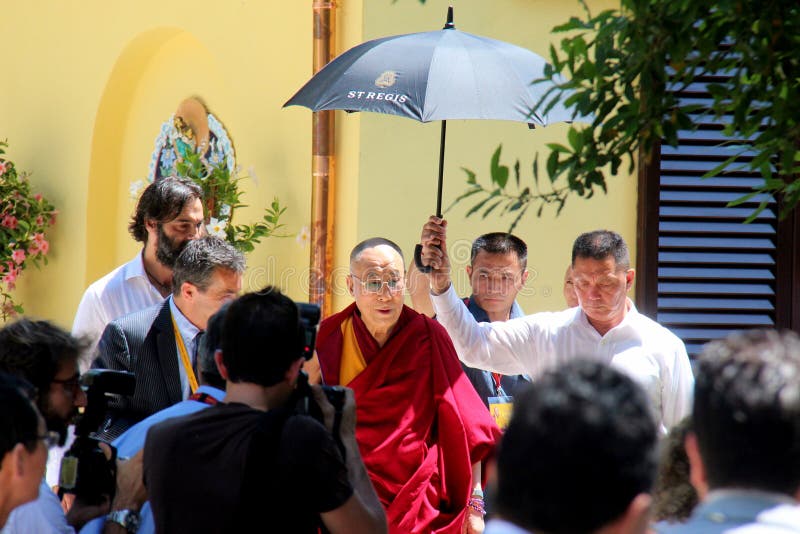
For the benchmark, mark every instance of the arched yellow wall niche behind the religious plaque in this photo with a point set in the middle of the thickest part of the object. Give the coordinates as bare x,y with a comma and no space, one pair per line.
155,71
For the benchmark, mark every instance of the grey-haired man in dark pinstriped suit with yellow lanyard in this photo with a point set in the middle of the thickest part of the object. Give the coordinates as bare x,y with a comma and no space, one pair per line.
159,344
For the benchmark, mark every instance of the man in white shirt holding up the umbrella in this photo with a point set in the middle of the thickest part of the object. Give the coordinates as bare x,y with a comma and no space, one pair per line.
605,325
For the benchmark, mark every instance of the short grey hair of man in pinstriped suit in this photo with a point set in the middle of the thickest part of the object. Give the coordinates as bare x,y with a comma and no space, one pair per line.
200,258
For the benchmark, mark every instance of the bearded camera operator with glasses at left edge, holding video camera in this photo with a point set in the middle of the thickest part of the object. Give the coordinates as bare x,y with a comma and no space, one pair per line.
47,357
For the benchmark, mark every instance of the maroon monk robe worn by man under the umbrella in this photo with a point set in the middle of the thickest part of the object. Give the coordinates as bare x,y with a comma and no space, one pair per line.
419,423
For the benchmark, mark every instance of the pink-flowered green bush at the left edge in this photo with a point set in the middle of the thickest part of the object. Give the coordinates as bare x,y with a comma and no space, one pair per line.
24,218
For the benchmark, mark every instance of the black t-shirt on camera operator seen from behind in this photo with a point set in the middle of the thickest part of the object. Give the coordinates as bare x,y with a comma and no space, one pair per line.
231,468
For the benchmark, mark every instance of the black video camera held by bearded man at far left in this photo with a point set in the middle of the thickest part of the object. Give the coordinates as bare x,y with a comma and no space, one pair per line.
85,470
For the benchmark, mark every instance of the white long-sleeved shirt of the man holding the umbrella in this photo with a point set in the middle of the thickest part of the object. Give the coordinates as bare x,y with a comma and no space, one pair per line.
645,350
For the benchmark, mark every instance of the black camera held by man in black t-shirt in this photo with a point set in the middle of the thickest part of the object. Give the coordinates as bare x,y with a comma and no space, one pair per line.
302,399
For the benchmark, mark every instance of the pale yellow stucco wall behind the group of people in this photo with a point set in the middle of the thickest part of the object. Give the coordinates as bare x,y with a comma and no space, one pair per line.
86,86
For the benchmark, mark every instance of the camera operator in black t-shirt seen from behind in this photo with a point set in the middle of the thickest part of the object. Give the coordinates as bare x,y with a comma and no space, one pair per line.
252,460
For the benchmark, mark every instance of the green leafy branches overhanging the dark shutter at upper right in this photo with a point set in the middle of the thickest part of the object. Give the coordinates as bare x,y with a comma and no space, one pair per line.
623,68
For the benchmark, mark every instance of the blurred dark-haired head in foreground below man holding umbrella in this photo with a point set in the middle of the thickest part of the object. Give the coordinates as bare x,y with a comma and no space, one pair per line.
580,446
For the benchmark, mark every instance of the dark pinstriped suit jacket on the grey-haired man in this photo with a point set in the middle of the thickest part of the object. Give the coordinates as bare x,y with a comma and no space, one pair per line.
142,343
